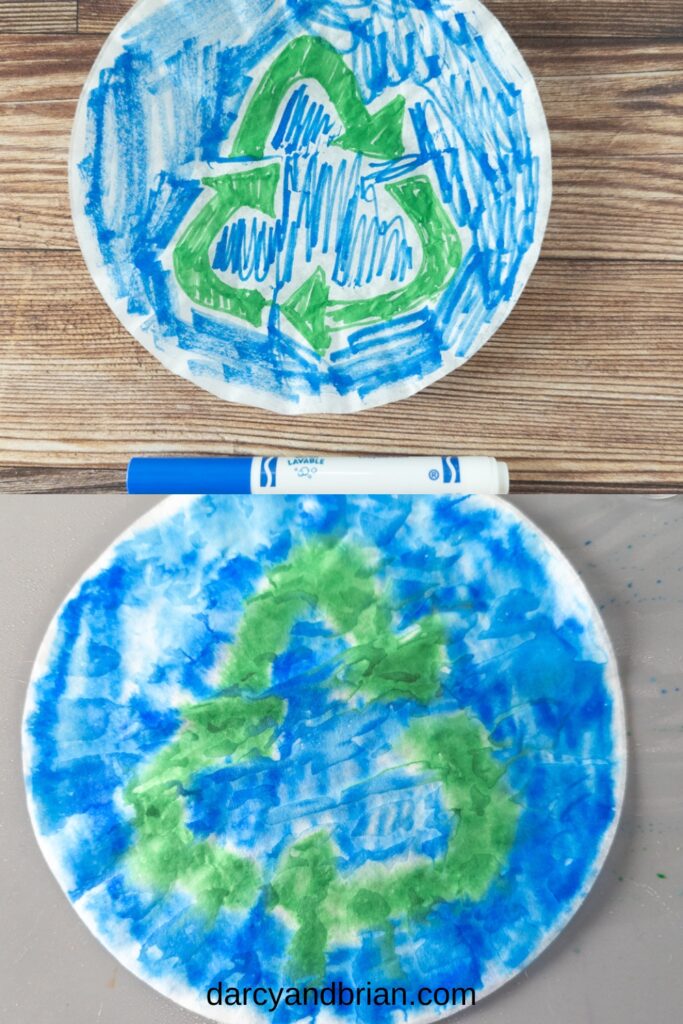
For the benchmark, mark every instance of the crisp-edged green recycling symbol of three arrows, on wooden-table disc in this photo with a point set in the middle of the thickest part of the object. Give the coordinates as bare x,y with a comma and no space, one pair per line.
312,309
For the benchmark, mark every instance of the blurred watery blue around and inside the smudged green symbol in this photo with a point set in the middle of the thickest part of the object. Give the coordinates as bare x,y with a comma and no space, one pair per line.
149,633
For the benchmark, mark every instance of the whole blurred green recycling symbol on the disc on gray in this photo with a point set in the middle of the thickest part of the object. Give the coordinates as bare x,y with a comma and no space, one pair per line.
323,905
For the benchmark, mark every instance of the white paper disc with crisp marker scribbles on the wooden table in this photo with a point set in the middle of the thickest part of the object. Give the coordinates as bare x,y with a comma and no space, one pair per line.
311,207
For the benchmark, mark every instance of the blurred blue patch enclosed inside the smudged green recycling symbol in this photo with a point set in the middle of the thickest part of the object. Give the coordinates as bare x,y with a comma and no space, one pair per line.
373,817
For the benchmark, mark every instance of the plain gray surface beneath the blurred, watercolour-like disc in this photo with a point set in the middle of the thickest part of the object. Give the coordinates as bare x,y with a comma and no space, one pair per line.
619,961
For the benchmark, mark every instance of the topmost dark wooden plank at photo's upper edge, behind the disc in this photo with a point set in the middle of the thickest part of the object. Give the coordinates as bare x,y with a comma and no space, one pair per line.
583,19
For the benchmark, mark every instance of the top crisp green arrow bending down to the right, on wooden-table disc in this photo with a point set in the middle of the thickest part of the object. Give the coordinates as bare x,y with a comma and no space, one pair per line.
377,135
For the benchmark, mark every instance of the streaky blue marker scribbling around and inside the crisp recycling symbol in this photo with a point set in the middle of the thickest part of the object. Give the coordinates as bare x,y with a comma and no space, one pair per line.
165,114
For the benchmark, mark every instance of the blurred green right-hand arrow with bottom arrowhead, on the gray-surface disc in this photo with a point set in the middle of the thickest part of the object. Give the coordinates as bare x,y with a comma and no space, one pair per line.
455,750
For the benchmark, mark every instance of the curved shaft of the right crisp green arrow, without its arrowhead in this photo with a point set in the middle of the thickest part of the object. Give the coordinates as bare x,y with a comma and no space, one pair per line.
442,255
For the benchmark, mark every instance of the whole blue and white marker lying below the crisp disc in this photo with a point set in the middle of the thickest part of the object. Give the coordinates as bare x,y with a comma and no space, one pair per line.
320,476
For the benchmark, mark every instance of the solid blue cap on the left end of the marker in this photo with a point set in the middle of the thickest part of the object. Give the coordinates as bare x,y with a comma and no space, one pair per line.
189,477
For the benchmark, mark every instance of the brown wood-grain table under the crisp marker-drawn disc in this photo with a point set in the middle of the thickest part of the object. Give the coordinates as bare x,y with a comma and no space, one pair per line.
582,390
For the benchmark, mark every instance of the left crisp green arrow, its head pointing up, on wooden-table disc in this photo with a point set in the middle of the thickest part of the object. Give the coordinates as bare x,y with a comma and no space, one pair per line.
255,190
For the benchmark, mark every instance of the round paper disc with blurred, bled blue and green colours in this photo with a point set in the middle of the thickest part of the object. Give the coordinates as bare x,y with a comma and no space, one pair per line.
305,742
